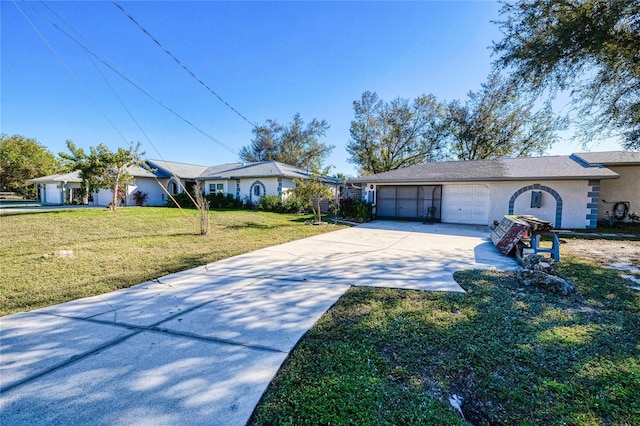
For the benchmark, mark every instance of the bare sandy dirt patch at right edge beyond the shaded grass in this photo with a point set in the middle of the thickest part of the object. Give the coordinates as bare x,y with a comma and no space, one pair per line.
623,256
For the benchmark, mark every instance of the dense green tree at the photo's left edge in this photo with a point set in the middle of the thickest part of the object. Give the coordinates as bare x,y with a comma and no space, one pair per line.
22,159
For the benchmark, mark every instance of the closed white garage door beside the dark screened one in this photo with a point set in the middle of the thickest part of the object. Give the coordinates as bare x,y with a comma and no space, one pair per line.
465,204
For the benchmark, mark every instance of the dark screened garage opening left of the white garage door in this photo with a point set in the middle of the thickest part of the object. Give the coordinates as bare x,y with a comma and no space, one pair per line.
409,202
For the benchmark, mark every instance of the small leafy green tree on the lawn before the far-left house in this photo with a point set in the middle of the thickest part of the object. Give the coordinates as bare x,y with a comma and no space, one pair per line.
102,168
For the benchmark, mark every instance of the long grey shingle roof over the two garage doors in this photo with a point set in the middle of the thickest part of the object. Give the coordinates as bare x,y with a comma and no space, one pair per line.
503,169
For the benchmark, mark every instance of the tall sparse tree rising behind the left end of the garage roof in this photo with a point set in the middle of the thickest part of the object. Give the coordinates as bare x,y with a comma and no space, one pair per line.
390,135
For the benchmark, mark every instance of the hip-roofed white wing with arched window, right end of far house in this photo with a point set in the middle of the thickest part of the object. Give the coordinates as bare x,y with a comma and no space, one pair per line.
252,181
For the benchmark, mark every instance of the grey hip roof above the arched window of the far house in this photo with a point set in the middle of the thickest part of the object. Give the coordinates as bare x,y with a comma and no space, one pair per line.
257,170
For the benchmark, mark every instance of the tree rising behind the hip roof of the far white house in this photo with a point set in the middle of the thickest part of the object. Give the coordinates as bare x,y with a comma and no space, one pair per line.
296,144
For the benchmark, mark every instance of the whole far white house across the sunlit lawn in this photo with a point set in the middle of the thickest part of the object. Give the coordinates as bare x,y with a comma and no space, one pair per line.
248,182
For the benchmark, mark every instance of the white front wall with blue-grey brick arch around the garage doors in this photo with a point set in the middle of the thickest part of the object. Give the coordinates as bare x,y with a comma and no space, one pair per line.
566,204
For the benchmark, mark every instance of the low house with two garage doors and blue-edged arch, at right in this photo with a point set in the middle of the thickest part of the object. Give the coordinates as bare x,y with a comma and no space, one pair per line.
568,191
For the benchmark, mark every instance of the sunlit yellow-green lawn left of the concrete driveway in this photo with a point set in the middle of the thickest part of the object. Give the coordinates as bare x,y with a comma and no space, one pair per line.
119,249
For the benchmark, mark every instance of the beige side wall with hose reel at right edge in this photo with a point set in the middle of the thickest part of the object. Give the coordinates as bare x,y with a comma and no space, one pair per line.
626,188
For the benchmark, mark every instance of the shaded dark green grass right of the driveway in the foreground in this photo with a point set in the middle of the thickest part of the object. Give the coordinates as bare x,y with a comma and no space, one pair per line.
517,356
